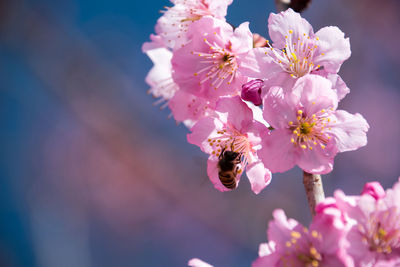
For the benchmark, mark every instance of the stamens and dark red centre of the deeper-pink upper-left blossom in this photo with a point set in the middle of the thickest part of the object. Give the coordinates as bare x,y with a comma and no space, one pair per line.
219,64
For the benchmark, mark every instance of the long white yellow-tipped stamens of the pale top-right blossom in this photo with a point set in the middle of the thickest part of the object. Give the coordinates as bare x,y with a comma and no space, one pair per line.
298,55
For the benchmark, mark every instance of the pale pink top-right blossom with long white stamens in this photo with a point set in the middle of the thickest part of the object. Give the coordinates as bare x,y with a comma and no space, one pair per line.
297,51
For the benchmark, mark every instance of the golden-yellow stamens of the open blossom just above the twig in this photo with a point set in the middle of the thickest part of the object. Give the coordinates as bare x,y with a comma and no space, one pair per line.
310,131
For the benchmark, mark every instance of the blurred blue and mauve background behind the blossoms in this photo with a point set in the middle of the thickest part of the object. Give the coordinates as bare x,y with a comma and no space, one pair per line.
93,174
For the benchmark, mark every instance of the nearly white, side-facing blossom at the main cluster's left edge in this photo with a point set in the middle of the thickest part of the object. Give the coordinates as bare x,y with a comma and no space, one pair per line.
159,78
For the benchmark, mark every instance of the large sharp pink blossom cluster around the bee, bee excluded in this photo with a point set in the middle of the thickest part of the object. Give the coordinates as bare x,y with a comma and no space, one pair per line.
274,103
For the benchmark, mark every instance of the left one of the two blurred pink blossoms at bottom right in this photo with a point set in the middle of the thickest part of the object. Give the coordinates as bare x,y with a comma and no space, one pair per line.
293,245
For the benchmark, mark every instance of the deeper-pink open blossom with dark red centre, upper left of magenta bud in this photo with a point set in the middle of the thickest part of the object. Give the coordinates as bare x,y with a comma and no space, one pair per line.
210,64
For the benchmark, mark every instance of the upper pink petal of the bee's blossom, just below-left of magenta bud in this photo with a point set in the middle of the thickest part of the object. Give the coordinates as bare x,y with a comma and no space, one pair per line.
239,114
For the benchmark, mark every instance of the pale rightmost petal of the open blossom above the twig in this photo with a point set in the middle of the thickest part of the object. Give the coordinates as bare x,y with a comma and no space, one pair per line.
350,130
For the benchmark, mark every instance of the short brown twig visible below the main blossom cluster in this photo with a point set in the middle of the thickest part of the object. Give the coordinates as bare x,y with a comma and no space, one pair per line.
314,190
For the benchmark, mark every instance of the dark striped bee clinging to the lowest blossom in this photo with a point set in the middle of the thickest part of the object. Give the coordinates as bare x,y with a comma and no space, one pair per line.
228,167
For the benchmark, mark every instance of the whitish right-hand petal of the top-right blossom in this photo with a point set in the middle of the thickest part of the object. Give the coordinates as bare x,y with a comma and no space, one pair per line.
332,50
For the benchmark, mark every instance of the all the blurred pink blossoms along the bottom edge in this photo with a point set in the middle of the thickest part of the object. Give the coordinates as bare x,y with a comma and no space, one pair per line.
348,231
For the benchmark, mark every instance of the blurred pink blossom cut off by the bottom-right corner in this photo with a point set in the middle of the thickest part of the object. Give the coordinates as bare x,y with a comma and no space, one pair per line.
374,236
